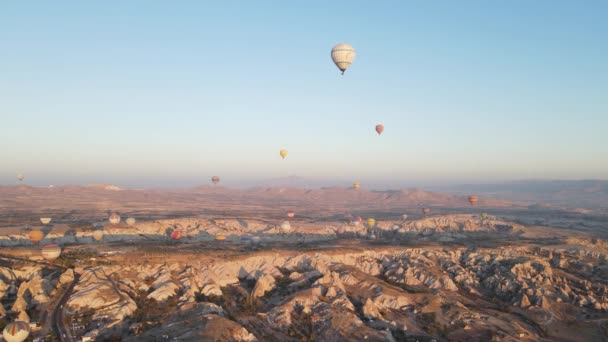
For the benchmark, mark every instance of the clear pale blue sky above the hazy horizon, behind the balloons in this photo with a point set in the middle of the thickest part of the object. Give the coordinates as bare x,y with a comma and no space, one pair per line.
151,93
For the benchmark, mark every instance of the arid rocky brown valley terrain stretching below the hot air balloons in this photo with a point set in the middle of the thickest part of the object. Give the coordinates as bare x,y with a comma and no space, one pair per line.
526,272
